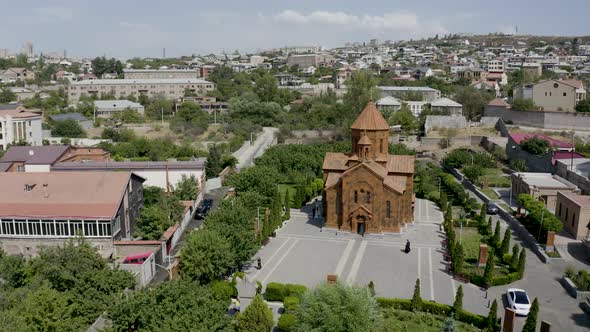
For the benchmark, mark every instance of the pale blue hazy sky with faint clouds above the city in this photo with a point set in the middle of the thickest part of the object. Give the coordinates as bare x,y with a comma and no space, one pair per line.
128,28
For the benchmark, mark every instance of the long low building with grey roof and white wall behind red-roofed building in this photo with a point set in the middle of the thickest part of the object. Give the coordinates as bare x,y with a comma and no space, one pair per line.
163,174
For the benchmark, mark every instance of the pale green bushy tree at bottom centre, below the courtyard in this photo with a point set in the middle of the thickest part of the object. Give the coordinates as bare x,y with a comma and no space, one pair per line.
338,308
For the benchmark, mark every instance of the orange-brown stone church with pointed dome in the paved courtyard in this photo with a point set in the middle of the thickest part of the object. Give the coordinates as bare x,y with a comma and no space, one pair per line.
369,190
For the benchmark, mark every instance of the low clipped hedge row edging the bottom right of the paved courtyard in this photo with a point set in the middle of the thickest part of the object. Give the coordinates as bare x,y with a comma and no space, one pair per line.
435,309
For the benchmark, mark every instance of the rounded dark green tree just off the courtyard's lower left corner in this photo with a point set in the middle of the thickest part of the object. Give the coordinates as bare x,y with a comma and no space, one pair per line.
206,256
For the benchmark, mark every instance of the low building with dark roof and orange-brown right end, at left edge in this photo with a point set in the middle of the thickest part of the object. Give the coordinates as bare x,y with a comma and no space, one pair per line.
41,158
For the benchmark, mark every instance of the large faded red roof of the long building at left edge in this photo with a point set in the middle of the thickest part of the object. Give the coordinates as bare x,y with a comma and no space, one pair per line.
71,195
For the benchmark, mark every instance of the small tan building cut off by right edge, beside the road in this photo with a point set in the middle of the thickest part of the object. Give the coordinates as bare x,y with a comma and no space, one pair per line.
573,210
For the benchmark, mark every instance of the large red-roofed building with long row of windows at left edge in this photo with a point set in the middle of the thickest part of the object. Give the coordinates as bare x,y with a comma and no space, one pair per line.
48,209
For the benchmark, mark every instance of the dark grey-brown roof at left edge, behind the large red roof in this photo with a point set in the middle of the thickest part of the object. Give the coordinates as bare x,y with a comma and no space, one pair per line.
40,155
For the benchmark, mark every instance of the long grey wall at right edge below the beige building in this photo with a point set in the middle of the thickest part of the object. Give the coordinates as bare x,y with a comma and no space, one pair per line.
542,119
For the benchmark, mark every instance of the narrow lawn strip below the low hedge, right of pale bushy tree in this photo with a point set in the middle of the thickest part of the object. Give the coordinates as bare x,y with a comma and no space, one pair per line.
407,321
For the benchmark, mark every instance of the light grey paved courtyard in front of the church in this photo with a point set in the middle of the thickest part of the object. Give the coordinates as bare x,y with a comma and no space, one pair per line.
304,253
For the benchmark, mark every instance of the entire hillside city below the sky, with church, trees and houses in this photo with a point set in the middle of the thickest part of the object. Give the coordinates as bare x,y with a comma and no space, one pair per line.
428,184
